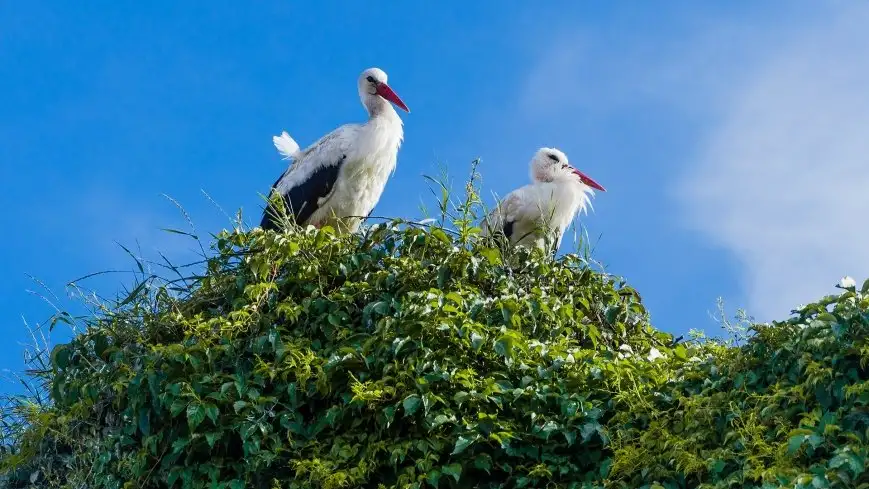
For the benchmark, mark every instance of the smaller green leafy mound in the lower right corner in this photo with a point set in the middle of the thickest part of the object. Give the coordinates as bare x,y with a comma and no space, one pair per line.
790,408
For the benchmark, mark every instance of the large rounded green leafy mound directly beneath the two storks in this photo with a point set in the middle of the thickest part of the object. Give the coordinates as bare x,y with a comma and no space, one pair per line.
319,360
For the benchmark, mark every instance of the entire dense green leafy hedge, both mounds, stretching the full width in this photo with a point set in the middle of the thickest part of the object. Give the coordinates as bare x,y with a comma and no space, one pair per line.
410,357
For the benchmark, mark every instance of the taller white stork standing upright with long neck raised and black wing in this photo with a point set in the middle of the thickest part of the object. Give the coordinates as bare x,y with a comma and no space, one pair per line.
339,179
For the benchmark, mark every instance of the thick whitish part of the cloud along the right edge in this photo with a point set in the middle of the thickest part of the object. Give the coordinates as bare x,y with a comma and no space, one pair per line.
783,181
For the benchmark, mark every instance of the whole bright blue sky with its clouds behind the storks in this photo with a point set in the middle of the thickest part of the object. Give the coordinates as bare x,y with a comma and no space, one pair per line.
730,135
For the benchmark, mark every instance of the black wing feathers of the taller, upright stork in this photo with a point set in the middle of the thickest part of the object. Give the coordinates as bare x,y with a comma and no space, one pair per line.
302,200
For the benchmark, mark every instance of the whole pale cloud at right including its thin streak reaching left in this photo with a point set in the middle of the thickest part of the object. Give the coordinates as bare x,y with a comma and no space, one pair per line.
774,161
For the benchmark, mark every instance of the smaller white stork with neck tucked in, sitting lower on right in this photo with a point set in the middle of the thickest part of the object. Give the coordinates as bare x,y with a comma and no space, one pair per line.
558,192
